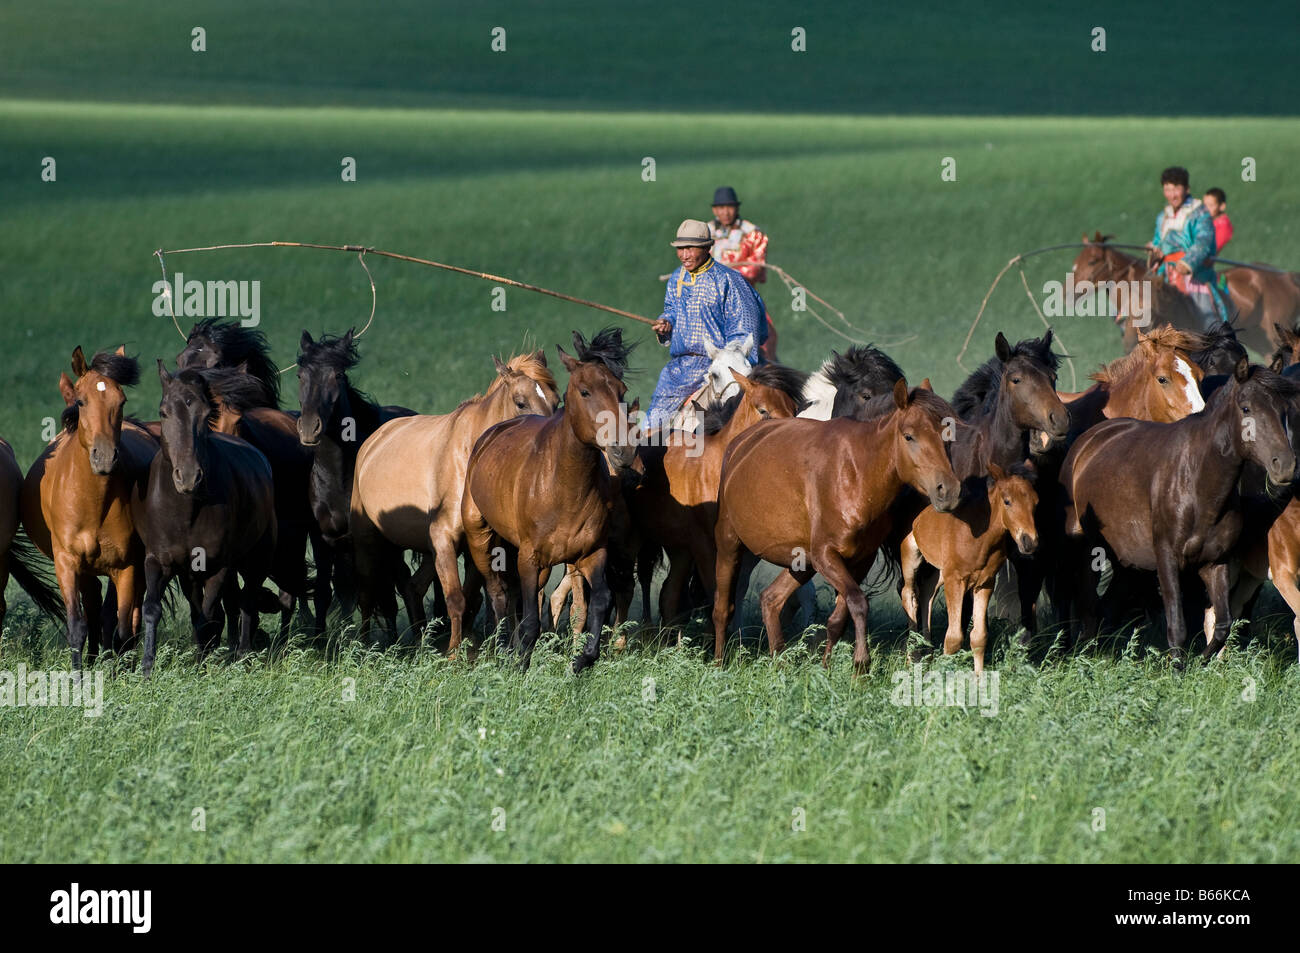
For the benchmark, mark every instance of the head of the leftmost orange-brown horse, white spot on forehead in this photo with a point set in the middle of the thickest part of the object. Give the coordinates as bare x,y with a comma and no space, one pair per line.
96,402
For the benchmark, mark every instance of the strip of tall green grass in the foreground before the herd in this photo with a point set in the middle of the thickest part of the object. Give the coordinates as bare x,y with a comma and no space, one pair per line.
657,757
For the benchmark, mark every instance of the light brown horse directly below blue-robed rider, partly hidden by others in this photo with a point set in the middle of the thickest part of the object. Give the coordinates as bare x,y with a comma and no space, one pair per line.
677,505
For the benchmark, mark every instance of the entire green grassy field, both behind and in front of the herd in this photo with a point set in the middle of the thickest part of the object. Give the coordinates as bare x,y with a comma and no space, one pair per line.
534,171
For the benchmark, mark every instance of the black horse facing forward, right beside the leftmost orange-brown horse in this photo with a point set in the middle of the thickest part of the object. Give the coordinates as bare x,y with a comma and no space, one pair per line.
207,513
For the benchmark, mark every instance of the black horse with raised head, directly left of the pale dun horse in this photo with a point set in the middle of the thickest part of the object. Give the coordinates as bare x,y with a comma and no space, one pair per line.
336,421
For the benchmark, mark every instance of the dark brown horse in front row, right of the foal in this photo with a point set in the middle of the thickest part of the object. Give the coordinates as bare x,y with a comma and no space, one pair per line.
1129,484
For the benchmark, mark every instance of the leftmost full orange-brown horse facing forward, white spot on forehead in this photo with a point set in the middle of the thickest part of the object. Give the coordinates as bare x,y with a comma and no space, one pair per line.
77,500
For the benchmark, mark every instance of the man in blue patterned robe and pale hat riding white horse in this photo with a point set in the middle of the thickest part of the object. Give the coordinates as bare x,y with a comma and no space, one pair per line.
705,304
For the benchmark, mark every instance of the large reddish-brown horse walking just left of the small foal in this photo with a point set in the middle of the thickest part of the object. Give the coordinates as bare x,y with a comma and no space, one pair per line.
816,497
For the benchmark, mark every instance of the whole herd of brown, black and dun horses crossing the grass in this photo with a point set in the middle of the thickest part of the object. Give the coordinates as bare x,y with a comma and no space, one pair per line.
1165,486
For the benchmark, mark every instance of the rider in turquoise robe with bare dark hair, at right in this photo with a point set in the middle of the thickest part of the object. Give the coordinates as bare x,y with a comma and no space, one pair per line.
1185,246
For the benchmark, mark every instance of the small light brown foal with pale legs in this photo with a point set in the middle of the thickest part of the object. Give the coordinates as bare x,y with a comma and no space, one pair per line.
963,552
